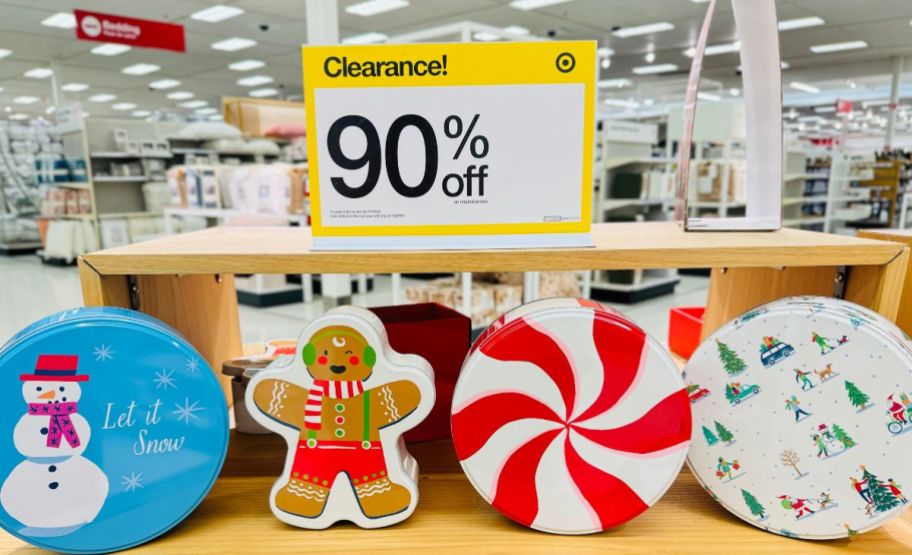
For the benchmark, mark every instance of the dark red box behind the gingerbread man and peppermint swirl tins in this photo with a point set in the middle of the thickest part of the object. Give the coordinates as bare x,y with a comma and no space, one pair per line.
442,336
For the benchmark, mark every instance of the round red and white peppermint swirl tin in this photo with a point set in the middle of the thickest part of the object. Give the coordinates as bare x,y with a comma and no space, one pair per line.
567,418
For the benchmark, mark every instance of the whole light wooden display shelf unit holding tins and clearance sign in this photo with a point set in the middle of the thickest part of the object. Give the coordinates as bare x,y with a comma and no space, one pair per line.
749,269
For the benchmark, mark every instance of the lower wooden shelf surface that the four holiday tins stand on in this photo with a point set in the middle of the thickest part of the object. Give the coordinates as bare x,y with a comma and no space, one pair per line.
452,518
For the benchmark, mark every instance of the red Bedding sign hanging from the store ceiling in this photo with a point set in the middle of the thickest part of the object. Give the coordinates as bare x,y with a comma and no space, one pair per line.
144,33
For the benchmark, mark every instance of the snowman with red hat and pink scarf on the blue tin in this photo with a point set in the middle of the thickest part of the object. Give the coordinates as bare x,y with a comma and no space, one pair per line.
55,490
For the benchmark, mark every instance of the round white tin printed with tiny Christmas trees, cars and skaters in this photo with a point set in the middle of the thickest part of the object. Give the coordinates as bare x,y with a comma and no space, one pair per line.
803,427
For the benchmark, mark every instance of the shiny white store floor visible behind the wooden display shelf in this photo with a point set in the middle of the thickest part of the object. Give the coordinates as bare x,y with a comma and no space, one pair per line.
30,290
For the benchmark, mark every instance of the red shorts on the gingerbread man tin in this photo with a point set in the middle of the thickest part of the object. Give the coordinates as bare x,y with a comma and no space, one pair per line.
322,463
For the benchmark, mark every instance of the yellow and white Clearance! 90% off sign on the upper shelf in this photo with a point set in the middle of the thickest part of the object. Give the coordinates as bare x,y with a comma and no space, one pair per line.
475,145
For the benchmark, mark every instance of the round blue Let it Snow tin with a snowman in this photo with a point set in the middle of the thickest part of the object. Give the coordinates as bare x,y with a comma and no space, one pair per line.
114,430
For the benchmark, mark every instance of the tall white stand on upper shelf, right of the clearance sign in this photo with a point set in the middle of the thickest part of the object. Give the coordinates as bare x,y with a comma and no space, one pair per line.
758,31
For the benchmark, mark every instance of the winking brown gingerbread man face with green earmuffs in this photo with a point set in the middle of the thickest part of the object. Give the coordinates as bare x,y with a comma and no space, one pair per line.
339,353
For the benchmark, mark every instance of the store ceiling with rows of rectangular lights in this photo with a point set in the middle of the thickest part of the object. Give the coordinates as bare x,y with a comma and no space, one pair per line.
883,24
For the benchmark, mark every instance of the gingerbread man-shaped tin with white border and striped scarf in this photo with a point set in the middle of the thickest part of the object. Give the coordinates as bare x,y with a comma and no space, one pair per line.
342,406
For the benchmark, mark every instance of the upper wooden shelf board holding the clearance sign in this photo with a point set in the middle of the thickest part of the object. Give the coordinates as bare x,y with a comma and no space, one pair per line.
237,250
